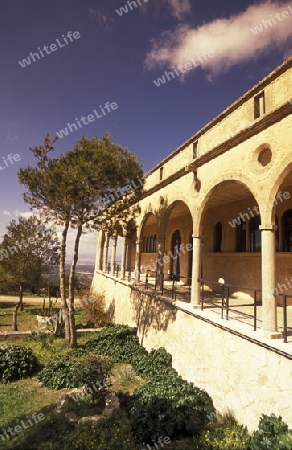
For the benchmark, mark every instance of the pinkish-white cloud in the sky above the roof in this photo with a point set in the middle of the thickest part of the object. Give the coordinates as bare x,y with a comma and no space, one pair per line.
231,39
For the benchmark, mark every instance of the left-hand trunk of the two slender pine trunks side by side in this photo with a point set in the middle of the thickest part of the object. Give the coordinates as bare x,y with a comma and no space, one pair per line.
64,304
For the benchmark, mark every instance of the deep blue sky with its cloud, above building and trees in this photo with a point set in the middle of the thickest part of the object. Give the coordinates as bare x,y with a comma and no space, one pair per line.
116,59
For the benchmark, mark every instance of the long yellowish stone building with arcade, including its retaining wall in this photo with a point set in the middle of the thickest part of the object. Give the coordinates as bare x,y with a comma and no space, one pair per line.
219,207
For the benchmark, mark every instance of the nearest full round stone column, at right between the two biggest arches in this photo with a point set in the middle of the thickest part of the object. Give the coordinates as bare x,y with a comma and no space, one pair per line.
269,305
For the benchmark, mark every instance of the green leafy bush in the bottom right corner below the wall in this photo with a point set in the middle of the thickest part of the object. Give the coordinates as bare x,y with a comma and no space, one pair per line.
273,434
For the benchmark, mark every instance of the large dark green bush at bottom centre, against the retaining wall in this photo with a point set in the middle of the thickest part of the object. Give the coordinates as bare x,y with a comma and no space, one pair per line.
168,407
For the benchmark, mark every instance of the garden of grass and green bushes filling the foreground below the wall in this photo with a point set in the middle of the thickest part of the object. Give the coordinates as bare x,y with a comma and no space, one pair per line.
155,400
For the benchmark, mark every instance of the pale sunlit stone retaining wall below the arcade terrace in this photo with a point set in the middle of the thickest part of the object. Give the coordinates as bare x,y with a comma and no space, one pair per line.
240,375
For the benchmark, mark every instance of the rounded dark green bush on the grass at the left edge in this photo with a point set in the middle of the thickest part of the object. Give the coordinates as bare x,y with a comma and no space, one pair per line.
16,363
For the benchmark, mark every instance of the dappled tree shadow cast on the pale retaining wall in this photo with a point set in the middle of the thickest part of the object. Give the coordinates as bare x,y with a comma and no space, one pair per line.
151,313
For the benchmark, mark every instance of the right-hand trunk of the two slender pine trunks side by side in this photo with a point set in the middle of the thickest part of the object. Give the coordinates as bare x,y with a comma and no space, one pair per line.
73,337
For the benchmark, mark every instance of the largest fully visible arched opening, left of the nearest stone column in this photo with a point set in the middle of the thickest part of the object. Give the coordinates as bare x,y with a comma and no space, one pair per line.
227,204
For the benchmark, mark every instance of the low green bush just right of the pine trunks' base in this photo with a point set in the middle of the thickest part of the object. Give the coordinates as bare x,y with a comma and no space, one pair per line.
120,342
